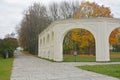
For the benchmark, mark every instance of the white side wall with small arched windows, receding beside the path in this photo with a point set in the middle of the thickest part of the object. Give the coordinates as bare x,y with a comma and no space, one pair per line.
45,50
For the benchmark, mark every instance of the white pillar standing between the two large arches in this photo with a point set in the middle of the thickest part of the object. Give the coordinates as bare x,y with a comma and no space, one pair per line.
102,44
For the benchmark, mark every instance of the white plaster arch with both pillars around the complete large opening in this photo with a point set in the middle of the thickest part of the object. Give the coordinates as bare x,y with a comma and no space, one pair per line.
95,29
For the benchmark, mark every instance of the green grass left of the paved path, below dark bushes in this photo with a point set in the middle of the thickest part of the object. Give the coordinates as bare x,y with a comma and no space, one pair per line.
5,68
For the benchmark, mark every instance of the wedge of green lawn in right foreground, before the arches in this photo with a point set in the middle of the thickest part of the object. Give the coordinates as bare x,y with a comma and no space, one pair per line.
110,69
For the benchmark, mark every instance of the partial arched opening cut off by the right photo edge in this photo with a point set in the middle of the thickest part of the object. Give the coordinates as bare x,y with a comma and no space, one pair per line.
114,44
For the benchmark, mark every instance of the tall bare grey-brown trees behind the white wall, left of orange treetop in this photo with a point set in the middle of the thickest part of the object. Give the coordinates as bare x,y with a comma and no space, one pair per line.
36,18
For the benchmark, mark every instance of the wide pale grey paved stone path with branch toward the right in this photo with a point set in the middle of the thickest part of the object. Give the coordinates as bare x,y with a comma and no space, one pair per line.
27,67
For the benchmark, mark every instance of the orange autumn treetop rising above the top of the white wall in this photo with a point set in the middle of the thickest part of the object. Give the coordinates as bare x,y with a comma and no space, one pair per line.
88,9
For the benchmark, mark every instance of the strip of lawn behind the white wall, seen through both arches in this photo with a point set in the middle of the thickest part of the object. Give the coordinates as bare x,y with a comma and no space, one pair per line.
114,57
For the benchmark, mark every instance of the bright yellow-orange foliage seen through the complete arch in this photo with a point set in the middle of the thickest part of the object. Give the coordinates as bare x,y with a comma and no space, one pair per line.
82,36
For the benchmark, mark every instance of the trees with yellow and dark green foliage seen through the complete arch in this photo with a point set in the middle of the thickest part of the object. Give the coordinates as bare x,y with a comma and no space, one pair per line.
81,38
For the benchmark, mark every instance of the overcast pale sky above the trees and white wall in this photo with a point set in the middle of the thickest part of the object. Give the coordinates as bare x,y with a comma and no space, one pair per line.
11,11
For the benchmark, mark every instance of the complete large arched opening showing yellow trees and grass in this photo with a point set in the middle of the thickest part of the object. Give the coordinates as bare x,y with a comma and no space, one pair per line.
79,45
